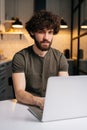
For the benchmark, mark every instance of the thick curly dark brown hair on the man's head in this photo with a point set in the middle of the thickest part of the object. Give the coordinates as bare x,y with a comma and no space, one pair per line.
43,20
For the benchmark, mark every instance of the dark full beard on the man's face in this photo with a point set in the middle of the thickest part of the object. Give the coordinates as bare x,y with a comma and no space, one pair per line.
42,45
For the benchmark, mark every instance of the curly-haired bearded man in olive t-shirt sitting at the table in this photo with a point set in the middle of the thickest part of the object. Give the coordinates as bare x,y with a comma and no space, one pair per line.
33,65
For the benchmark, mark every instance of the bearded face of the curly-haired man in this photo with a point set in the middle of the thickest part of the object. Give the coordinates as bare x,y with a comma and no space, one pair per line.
43,39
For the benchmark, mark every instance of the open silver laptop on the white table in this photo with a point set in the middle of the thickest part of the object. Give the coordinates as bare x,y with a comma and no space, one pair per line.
66,98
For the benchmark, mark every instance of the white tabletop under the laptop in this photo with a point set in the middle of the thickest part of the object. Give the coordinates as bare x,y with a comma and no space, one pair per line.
15,116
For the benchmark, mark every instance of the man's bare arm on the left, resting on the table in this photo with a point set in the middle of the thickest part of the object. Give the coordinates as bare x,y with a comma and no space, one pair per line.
23,96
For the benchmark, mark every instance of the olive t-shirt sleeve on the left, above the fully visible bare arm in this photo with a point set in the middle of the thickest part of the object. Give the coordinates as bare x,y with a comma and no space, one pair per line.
18,63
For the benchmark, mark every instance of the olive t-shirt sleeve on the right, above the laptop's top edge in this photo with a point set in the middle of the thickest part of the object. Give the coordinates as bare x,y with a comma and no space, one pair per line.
63,63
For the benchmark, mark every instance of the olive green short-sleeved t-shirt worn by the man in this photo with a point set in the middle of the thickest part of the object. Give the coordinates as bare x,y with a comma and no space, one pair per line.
37,69
